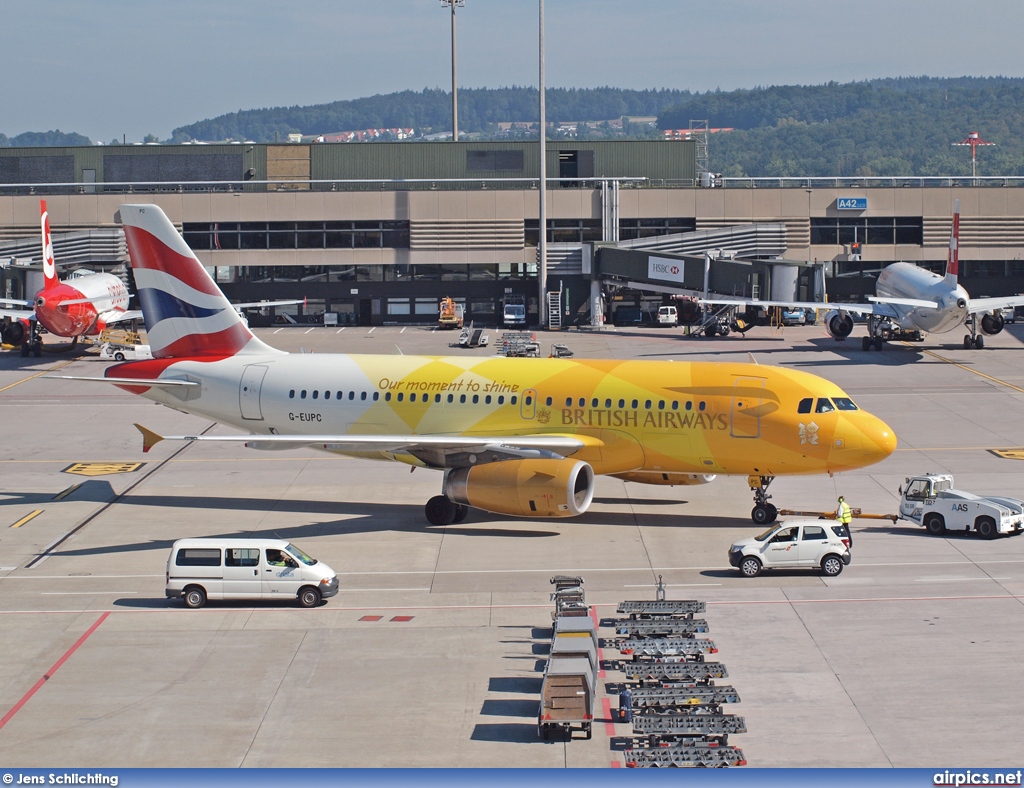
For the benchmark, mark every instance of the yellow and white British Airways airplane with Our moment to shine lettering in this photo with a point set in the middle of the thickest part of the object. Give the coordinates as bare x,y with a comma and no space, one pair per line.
514,436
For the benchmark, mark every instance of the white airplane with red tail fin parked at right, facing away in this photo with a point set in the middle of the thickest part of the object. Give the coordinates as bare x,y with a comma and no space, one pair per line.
911,302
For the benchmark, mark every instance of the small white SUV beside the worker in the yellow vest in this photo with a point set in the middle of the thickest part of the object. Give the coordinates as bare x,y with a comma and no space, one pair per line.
793,544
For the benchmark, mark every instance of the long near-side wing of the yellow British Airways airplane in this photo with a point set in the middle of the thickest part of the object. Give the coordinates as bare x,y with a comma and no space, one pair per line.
432,451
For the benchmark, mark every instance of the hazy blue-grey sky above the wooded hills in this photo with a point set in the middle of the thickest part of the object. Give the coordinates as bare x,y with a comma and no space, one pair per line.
113,68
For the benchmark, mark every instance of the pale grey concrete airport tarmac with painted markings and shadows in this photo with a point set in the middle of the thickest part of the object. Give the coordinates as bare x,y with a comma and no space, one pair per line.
431,654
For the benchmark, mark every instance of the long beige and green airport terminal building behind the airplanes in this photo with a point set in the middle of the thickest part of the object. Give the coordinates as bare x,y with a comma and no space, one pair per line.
380,233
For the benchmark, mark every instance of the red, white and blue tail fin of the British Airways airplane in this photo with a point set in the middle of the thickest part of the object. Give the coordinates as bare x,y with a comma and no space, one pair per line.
187,316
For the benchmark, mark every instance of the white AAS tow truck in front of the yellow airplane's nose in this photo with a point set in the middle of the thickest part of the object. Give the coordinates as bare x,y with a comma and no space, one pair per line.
931,501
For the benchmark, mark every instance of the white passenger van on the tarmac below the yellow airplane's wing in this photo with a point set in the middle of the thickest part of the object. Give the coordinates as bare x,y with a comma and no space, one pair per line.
246,570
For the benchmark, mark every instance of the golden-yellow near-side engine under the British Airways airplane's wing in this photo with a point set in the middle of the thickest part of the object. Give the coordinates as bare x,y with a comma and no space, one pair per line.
525,488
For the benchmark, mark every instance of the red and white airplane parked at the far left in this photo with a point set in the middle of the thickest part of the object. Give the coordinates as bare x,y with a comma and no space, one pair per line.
82,305
